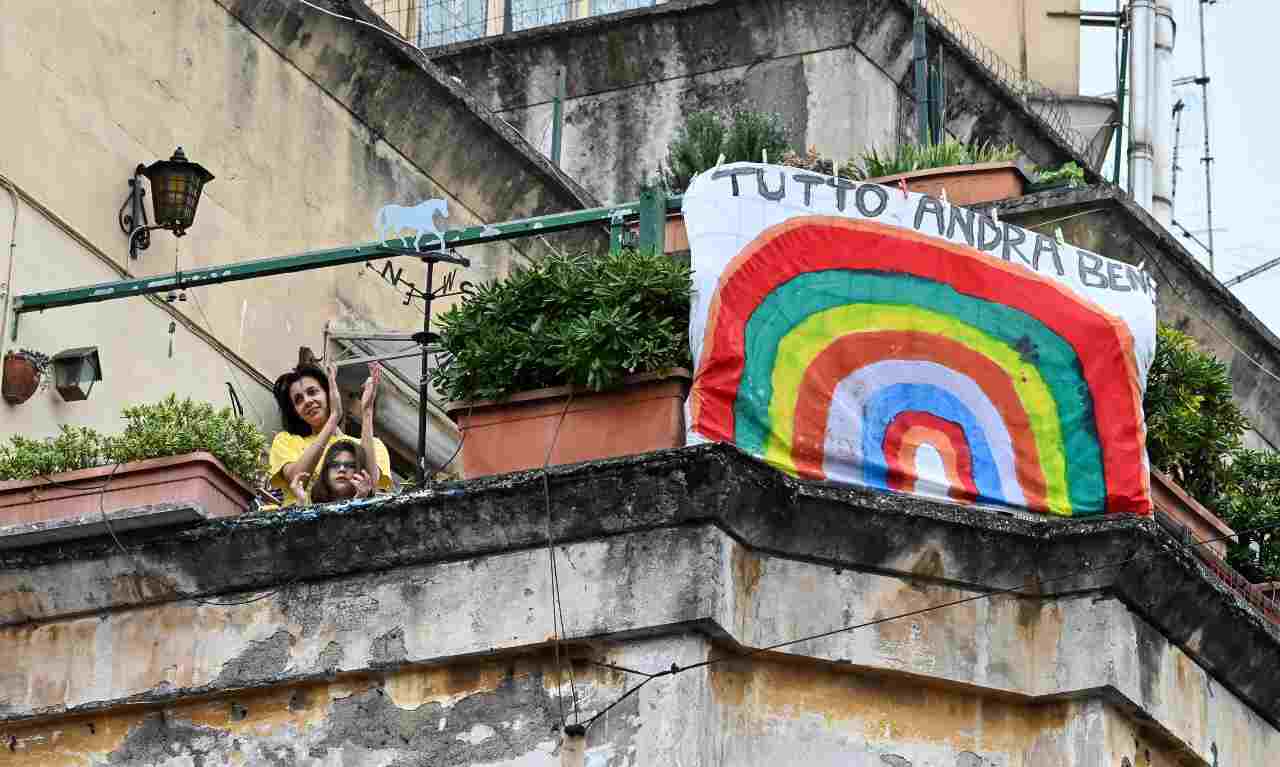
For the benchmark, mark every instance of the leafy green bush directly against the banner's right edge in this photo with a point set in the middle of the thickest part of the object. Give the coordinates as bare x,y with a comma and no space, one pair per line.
1194,424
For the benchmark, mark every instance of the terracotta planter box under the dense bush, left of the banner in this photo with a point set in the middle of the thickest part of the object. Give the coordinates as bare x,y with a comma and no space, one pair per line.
647,414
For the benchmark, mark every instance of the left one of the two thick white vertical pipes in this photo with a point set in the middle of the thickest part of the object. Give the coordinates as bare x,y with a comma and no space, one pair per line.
1142,43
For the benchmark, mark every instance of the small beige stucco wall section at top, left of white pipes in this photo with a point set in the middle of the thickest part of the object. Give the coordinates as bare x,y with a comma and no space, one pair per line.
1023,35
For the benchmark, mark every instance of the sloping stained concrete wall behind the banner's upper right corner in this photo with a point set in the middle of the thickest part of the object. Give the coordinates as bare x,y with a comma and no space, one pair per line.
1188,298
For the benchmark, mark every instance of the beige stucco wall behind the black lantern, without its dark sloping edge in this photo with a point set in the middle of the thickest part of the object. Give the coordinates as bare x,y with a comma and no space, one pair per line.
100,86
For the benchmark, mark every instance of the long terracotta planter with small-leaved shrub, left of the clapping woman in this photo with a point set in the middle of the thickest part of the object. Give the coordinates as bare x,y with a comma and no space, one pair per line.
172,453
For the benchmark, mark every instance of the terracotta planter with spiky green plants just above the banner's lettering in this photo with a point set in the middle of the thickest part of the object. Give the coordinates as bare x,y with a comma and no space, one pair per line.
970,174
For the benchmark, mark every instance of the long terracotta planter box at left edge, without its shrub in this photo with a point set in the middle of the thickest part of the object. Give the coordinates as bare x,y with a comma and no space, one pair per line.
194,480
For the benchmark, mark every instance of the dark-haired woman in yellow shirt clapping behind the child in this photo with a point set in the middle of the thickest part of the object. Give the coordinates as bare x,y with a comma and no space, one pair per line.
312,410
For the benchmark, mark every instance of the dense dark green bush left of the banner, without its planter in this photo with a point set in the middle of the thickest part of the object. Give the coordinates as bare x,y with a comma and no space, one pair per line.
568,321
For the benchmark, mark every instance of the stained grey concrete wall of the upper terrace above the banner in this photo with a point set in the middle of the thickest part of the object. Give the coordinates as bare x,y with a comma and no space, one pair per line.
839,75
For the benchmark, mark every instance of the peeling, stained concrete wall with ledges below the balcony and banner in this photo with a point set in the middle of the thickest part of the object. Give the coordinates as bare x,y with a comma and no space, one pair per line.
418,632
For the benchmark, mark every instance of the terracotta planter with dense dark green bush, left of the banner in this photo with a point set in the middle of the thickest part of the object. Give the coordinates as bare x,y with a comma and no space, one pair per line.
578,358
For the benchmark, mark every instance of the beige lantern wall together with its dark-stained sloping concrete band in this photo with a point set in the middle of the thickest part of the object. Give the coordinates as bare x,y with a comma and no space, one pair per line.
310,126
